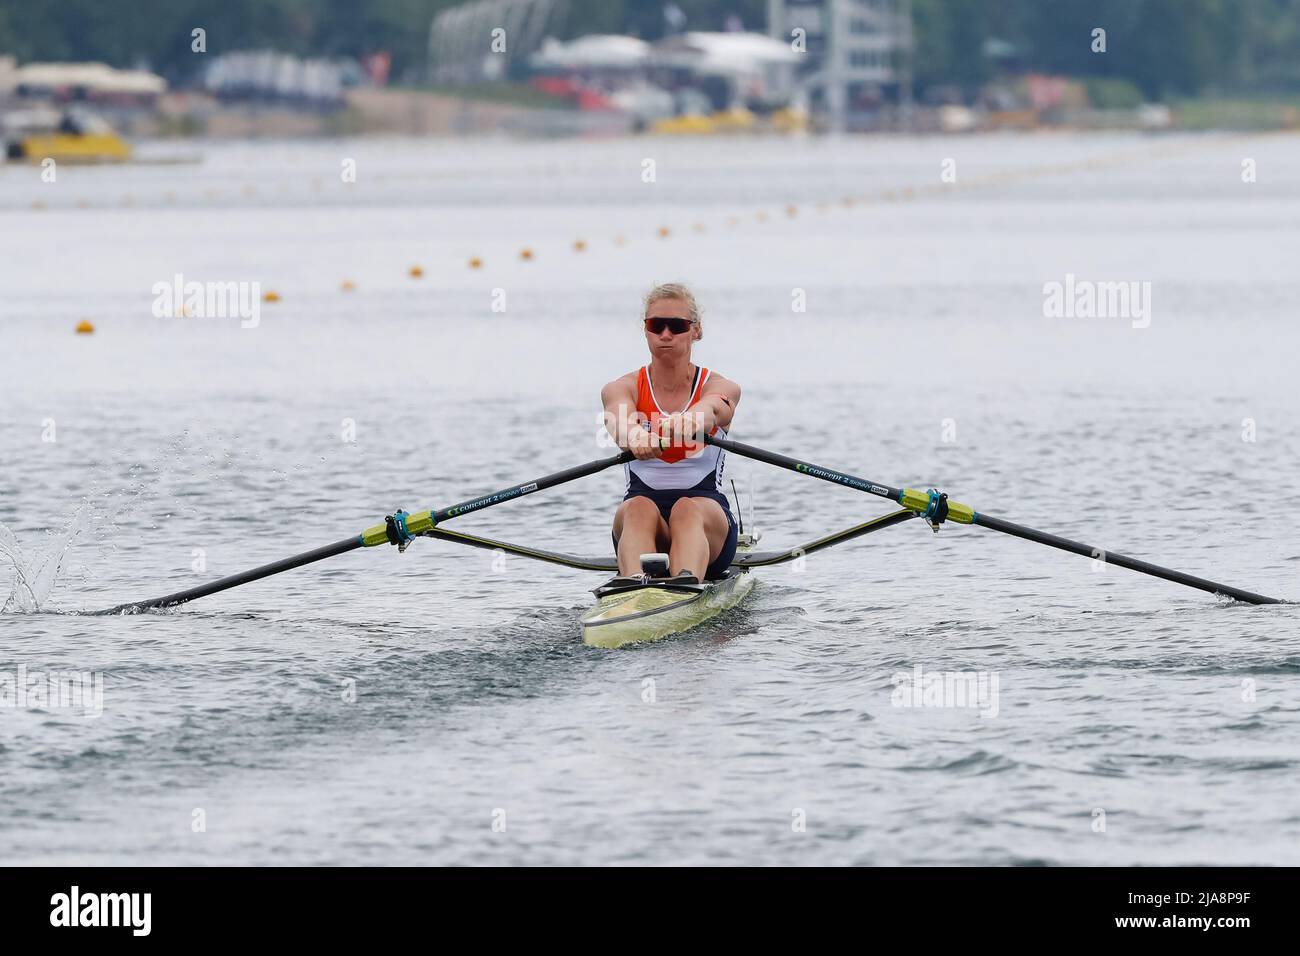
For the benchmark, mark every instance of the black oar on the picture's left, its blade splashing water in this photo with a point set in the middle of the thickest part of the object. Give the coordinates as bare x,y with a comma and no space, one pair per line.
398,529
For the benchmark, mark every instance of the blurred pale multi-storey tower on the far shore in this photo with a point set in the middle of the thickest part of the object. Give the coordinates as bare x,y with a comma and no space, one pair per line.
857,55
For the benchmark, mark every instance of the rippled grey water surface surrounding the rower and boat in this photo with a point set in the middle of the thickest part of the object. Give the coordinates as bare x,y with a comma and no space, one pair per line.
1137,723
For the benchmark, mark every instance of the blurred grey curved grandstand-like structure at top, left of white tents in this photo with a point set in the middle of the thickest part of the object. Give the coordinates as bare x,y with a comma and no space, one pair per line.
462,40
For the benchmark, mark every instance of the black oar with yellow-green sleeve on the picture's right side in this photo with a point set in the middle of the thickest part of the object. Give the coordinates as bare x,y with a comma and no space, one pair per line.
937,508
